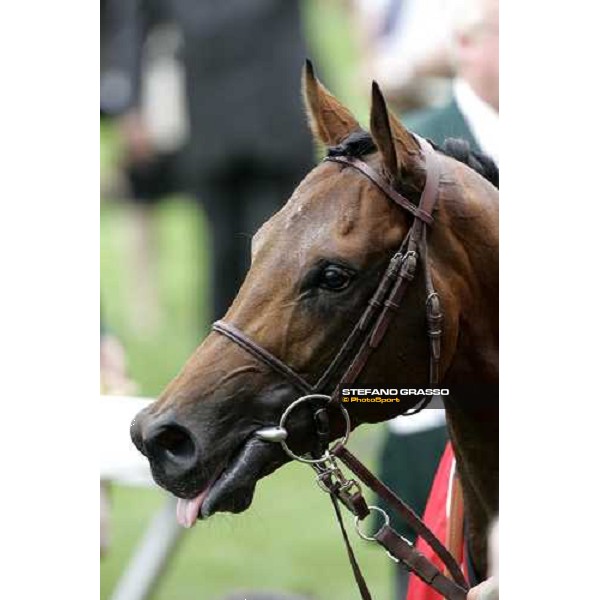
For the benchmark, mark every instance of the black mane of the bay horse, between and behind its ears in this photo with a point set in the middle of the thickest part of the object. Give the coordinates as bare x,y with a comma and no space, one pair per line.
360,143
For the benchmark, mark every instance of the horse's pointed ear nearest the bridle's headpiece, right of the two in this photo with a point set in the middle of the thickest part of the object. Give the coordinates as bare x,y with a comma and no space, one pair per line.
397,146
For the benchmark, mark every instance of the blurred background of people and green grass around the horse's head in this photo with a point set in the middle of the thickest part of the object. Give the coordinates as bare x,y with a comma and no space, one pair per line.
201,118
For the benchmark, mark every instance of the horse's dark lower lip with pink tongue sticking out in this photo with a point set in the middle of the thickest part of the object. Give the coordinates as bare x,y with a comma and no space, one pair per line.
232,488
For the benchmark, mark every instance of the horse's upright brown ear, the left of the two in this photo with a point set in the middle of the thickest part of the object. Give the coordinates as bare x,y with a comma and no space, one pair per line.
330,121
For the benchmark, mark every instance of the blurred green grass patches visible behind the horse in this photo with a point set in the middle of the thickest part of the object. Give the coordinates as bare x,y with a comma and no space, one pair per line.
288,540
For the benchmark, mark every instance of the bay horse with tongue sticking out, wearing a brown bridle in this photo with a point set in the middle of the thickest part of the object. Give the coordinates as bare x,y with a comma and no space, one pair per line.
315,265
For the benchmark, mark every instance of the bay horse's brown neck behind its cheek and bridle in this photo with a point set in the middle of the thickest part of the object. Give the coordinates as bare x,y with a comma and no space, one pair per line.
472,376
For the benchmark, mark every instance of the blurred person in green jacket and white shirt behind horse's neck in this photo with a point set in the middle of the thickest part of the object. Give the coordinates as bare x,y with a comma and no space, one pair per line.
414,445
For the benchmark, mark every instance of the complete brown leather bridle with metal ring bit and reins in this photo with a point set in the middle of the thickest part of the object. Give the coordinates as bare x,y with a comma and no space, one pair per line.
368,334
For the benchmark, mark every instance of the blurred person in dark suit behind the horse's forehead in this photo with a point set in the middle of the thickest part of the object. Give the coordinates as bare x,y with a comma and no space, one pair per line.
247,145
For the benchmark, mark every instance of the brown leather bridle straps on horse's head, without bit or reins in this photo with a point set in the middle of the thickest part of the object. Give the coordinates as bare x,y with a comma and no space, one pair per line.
377,317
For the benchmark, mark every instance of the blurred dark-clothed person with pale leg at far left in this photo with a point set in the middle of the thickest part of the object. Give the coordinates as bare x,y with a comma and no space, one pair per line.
142,91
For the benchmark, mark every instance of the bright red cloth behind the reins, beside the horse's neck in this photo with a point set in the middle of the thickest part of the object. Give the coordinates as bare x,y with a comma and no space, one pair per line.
436,518
